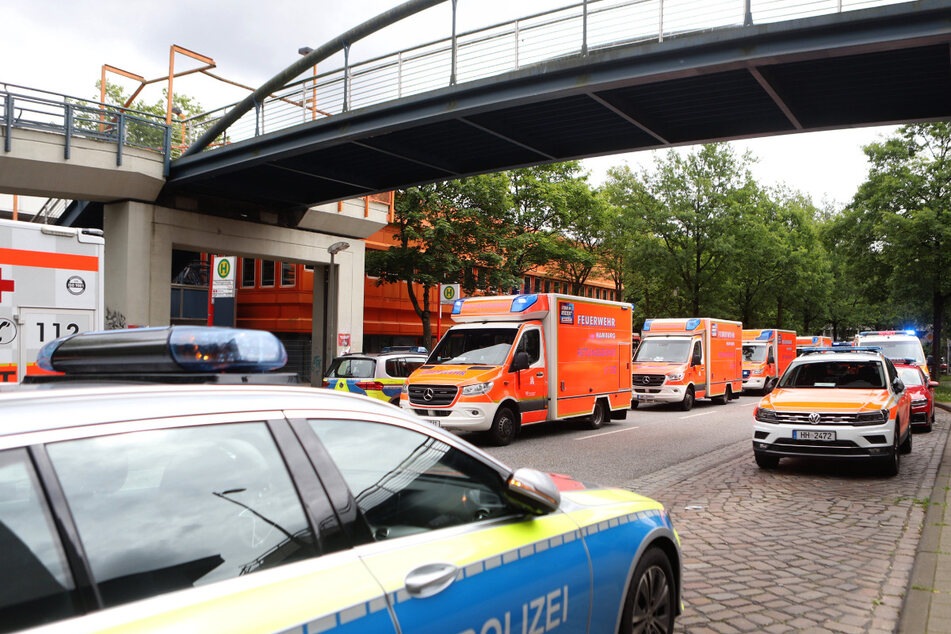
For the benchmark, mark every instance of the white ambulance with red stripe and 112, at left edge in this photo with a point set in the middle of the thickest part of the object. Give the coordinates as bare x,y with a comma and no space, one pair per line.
50,287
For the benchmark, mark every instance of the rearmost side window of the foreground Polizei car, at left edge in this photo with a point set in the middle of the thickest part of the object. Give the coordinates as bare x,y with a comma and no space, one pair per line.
37,586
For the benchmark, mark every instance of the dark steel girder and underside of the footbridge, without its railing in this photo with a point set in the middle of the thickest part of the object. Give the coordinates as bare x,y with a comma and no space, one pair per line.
877,66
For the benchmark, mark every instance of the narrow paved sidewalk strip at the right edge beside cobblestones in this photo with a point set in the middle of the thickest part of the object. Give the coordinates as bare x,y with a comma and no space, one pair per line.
927,606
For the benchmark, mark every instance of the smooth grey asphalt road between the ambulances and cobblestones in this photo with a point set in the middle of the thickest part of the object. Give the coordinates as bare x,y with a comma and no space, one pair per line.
650,438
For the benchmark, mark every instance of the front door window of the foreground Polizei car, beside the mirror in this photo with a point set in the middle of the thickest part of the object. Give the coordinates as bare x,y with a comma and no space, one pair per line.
406,482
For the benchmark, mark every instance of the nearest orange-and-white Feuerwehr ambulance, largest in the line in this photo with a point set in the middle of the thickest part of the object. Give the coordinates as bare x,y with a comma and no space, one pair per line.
521,359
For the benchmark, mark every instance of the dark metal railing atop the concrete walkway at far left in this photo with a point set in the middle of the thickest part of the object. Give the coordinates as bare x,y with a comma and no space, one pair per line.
33,109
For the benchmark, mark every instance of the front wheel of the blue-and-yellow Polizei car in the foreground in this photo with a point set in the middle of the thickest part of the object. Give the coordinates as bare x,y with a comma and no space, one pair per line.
650,604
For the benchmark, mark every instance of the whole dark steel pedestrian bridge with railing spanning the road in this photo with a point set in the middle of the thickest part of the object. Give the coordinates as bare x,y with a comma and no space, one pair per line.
599,77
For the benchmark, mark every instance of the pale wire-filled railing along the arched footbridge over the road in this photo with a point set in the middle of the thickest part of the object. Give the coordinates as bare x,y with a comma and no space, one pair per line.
578,29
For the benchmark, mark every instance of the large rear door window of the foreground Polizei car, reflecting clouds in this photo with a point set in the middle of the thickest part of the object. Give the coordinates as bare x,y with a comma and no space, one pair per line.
168,509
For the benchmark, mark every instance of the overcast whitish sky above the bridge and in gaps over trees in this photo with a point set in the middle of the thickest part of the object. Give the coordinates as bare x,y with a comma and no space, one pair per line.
61,45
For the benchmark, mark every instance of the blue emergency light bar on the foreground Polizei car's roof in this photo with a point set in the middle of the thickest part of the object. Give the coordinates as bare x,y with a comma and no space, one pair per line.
173,349
